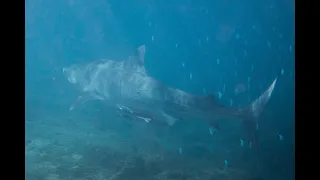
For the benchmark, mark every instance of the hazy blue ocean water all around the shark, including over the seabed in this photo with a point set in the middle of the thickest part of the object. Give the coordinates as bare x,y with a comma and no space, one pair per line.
231,48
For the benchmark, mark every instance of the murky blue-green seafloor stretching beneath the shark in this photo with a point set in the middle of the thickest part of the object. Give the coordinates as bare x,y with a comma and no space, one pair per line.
88,144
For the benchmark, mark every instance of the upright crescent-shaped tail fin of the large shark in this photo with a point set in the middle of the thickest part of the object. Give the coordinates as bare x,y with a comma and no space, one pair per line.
252,113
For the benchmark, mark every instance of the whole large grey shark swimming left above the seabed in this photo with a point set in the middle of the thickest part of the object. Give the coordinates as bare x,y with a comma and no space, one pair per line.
127,87
